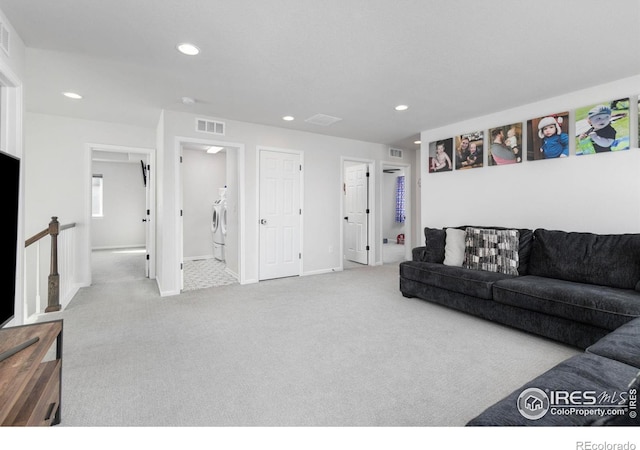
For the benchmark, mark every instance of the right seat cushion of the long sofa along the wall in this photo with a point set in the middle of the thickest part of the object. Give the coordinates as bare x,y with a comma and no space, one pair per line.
600,306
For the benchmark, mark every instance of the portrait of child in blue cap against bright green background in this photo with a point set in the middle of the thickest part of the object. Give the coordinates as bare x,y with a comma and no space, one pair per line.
602,127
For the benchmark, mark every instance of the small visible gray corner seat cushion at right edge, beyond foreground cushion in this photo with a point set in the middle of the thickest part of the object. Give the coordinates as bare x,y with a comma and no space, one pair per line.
622,344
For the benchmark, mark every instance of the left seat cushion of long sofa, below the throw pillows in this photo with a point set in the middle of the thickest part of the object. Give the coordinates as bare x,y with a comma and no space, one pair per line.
476,283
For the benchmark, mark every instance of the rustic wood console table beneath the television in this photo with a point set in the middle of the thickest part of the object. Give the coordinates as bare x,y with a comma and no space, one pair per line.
30,379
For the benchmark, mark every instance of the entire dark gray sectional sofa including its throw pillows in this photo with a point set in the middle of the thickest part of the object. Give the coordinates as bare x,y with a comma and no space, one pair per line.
582,289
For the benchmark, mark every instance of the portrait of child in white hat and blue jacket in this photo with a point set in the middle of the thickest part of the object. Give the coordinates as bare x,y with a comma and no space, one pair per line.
547,137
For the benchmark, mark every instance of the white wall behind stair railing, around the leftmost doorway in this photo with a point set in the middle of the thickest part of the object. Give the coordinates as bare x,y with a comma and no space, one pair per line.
58,181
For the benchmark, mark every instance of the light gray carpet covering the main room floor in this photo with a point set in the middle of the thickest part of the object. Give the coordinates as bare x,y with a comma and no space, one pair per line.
341,349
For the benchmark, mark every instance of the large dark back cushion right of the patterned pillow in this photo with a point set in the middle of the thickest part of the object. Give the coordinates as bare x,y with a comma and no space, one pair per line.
608,260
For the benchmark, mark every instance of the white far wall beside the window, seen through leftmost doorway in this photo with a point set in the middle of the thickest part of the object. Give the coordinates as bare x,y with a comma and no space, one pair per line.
124,204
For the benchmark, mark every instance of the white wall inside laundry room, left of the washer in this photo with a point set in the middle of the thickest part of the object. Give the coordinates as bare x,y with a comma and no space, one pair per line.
203,174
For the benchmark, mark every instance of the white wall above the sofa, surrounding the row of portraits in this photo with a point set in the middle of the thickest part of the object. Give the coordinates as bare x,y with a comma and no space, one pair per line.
594,193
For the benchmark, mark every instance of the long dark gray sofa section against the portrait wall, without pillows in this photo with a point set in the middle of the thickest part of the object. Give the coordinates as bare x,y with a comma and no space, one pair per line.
571,287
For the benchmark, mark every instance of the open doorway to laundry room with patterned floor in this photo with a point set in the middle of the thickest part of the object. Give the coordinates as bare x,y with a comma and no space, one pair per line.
210,224
